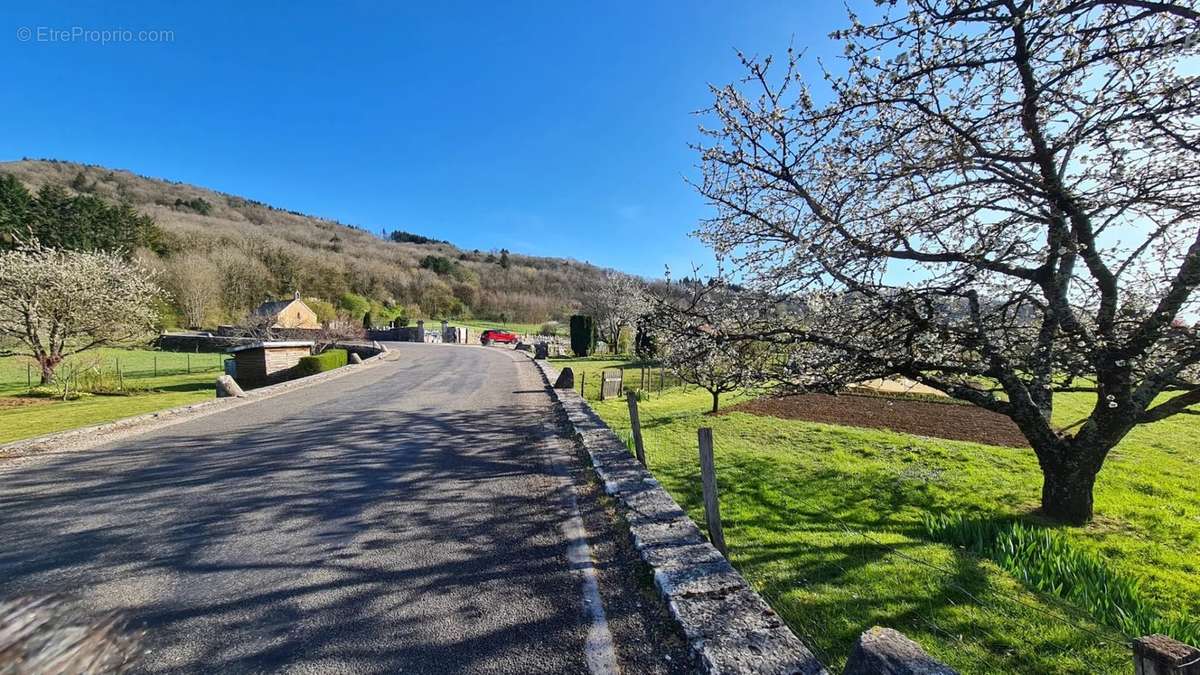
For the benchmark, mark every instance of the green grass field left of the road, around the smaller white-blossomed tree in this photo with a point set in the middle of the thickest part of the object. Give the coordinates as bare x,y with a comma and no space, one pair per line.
155,380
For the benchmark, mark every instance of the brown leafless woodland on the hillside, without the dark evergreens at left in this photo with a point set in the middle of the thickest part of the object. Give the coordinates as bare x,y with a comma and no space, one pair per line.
269,252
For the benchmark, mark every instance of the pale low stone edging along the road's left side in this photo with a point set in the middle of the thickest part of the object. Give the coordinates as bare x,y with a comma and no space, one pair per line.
89,437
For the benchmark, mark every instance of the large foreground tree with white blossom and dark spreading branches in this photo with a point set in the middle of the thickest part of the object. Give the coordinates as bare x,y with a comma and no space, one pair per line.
997,199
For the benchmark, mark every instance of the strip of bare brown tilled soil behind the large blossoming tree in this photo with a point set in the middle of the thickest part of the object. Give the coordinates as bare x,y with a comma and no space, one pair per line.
925,419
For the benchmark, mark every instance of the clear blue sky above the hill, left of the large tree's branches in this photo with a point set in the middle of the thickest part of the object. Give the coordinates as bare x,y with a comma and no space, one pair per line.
545,128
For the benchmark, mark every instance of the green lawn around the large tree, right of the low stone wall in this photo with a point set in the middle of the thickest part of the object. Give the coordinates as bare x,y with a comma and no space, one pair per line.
826,522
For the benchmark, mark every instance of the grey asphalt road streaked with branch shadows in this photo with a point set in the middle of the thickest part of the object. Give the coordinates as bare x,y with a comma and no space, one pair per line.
406,518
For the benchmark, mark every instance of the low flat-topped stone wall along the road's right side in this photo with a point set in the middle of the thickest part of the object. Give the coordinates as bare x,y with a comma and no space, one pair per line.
729,628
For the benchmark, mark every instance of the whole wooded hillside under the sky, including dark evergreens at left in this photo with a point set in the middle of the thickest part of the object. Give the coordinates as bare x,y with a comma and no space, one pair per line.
221,255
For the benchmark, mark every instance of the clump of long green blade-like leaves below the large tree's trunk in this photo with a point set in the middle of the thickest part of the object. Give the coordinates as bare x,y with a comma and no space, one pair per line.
1046,560
